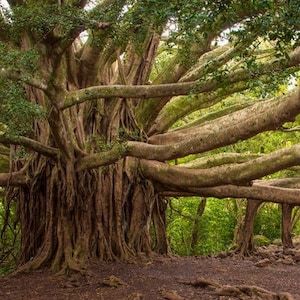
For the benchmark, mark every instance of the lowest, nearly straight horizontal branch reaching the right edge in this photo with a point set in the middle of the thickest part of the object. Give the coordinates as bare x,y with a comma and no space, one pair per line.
257,192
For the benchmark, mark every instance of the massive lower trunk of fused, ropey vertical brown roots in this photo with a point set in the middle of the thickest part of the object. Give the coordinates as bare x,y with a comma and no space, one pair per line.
107,214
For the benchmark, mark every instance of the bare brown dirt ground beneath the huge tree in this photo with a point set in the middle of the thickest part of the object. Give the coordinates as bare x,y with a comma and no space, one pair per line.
263,276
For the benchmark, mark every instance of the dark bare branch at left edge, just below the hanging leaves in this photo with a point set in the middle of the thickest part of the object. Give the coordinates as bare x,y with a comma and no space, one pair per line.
30,144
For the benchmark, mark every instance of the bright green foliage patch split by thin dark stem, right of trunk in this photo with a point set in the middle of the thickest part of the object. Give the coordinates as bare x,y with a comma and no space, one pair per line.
216,226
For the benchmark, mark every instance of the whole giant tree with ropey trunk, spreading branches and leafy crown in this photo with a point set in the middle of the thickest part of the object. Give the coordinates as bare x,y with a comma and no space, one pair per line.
104,114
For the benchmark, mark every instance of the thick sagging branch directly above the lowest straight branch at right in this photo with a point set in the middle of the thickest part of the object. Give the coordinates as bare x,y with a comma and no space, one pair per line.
229,174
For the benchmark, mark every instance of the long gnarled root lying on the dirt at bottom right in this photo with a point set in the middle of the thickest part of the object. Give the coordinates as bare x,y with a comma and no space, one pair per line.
240,291
